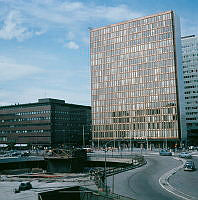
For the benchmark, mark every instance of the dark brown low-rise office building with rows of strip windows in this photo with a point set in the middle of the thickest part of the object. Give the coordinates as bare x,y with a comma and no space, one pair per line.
50,122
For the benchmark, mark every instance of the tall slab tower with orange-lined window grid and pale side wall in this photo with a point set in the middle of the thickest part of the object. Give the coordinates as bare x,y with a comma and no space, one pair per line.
136,81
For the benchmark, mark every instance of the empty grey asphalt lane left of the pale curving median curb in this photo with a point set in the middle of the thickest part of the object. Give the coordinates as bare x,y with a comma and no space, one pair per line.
143,183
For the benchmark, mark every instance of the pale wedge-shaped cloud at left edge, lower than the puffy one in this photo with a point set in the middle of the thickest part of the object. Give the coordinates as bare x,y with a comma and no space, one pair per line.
10,70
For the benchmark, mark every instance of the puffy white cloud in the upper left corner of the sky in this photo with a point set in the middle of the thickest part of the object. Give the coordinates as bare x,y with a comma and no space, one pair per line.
13,28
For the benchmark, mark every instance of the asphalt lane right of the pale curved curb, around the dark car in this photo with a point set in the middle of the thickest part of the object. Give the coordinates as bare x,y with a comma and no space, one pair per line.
186,181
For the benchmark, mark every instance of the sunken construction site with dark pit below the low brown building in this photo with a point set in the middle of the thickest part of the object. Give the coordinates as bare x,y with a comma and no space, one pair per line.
64,174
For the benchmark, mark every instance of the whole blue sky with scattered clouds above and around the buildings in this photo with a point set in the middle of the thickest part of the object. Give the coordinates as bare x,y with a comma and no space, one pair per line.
44,44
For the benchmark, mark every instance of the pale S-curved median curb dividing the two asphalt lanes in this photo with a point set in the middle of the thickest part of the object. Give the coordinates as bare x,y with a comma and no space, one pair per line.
163,181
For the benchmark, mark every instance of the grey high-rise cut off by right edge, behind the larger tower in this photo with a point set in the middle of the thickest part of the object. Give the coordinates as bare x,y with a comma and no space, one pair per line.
190,74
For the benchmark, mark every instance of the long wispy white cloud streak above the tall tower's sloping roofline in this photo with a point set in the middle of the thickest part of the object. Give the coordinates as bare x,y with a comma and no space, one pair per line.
84,12
